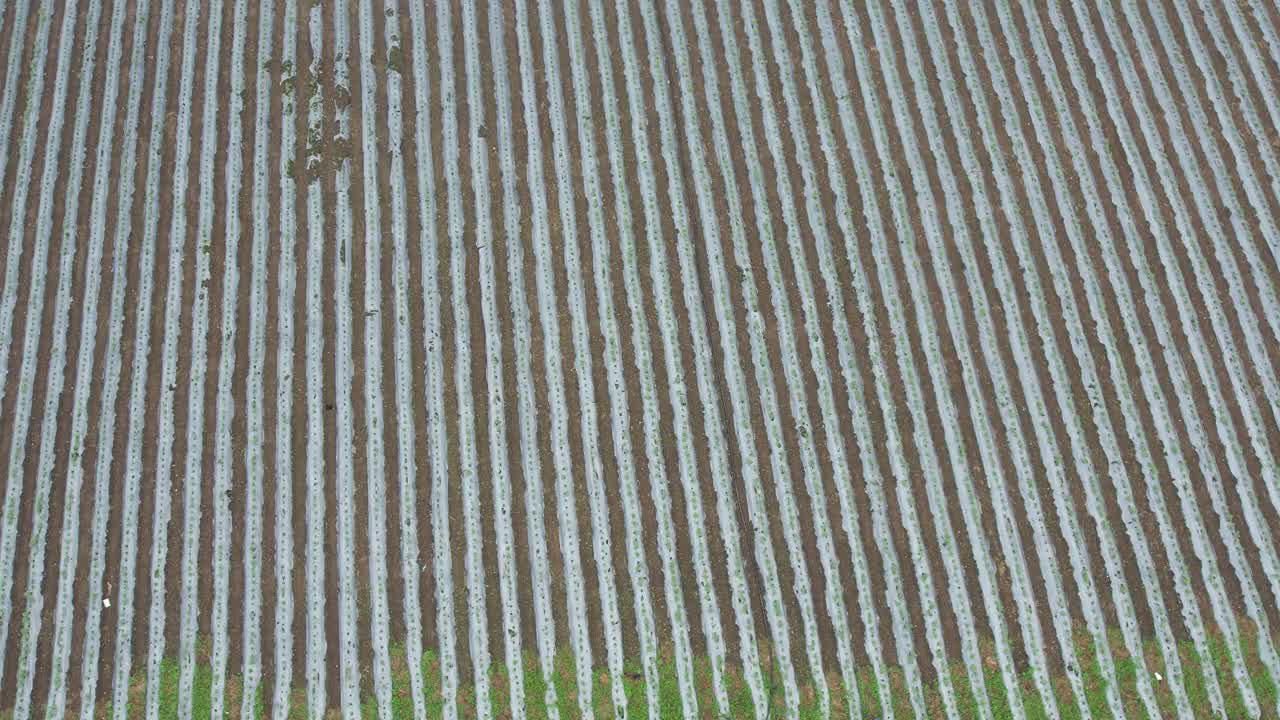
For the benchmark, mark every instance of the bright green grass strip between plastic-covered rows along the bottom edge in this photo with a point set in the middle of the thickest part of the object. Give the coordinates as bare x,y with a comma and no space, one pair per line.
561,689
